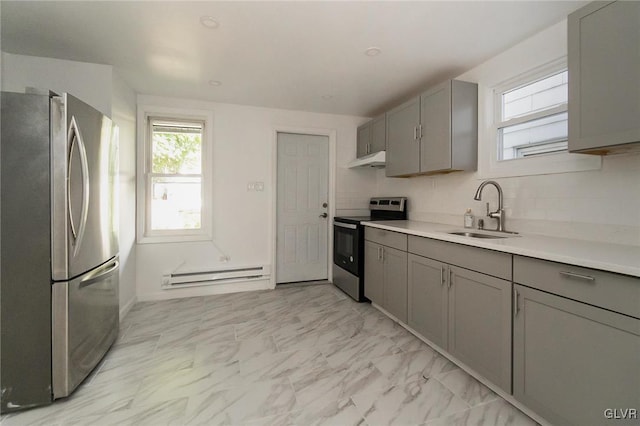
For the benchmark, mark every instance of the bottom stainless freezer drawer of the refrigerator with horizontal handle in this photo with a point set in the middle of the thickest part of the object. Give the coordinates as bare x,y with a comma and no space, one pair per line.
85,325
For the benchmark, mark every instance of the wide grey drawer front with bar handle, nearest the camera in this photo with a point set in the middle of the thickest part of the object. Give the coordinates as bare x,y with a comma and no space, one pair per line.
619,293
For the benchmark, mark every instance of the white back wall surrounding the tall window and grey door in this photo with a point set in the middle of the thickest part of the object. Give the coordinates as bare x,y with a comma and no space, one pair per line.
243,149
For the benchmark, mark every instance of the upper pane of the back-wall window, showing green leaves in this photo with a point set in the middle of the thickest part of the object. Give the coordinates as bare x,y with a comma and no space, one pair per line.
176,148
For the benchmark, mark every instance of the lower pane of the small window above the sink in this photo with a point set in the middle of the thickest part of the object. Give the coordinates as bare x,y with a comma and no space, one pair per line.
548,134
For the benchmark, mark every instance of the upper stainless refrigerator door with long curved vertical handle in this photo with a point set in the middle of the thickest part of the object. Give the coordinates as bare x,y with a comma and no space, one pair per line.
84,192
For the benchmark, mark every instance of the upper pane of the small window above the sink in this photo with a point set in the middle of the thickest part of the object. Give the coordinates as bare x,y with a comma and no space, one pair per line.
537,96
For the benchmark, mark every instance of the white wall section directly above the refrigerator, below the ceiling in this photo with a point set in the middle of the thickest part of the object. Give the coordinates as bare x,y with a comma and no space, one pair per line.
91,83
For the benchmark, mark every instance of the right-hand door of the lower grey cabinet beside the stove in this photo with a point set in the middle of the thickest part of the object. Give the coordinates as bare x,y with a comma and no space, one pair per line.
395,282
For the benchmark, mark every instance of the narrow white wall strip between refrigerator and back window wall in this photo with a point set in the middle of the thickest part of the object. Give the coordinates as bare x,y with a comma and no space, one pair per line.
124,115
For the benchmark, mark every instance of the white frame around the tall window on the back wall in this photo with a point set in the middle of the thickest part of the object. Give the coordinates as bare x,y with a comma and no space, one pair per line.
144,173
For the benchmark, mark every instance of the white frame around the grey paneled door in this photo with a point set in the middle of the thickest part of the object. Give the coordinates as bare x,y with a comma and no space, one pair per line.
331,134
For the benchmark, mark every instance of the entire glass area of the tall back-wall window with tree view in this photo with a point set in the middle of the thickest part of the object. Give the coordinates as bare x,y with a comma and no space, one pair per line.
175,176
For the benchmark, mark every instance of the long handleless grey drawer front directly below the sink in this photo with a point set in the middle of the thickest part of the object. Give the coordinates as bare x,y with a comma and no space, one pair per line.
477,259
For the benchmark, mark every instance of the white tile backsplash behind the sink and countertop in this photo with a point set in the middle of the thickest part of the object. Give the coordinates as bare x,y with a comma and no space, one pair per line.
599,205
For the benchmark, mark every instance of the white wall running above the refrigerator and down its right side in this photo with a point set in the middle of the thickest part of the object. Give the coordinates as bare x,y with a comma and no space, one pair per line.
100,87
